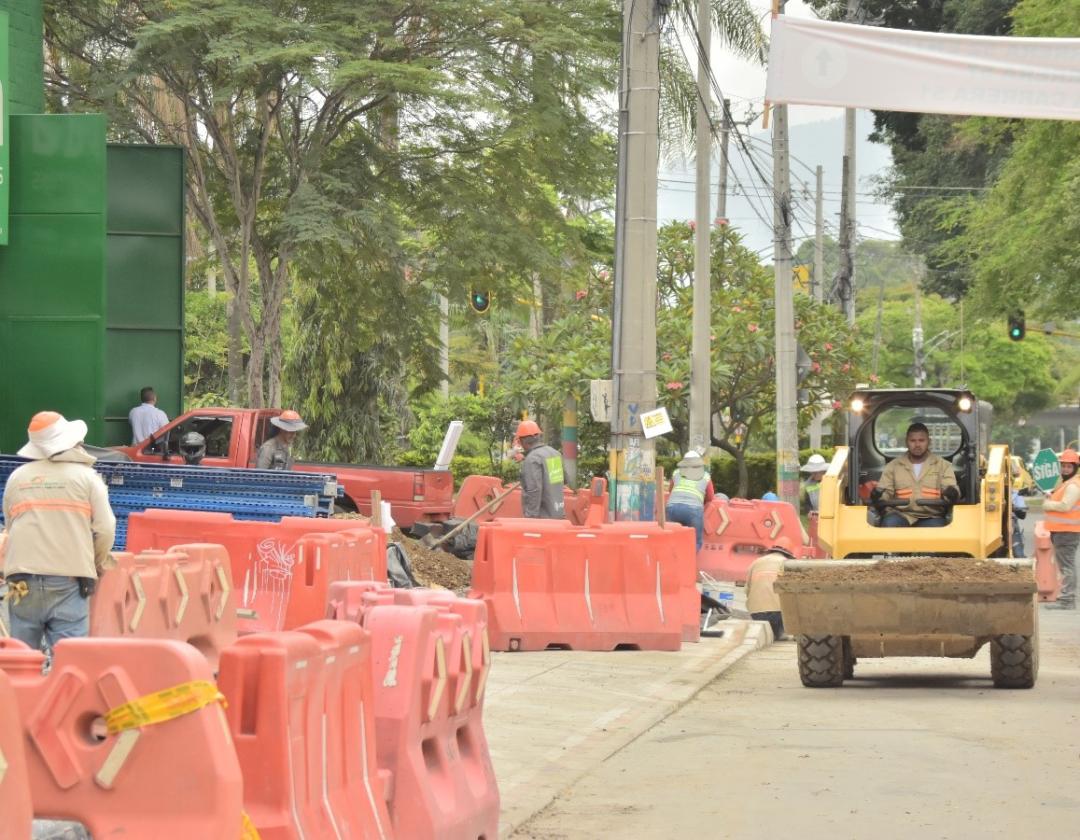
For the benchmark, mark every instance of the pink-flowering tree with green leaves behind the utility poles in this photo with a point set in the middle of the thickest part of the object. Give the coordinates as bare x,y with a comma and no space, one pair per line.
578,348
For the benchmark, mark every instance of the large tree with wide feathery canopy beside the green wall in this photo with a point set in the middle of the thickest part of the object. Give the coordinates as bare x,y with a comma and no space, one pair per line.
300,119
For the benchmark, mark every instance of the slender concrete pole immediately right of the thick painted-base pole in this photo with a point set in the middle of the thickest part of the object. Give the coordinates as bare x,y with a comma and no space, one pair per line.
701,381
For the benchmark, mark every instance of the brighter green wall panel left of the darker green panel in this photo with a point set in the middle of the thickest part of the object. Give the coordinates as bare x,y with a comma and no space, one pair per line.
52,276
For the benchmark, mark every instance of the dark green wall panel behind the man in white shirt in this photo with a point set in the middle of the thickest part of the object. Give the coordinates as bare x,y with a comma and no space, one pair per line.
145,248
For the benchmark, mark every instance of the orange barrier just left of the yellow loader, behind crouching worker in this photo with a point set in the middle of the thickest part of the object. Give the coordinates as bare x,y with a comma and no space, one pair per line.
739,531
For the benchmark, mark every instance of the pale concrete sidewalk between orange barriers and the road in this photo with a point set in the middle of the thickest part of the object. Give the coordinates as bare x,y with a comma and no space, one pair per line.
552,717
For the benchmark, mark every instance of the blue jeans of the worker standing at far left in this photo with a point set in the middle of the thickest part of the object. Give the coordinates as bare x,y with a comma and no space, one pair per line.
53,609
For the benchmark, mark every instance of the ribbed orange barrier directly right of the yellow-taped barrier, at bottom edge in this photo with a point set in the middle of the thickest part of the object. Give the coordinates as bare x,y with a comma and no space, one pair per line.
301,709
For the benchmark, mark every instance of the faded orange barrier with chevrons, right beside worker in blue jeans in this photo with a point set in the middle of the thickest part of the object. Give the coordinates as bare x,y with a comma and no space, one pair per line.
184,594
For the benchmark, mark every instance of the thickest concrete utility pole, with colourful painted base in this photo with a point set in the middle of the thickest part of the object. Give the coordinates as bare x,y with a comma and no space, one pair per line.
634,329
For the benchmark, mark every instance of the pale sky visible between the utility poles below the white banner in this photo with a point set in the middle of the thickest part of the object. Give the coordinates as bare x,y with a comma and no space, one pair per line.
817,138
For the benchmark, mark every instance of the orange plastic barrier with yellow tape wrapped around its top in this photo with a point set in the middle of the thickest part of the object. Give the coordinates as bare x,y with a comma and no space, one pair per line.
173,780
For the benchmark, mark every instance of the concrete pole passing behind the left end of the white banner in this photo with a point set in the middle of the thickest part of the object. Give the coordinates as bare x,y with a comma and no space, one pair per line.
788,430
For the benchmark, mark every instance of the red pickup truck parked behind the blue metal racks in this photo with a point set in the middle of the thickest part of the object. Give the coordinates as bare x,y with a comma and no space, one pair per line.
234,437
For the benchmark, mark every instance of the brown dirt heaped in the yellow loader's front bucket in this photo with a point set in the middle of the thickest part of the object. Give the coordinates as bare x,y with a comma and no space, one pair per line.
920,570
